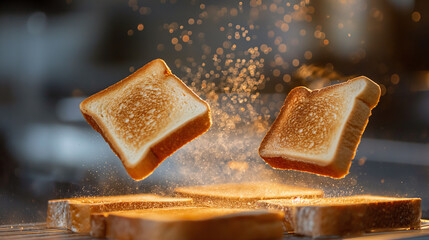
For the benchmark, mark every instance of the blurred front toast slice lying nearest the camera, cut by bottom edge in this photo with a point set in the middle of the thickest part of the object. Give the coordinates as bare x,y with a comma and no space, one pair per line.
195,223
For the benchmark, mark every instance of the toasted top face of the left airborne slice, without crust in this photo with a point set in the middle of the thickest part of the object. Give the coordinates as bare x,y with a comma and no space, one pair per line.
147,109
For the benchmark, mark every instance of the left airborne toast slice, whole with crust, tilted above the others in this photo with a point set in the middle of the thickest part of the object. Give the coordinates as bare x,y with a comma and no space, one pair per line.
146,117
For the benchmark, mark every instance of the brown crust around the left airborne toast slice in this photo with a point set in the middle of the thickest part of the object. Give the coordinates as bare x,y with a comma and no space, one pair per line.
162,148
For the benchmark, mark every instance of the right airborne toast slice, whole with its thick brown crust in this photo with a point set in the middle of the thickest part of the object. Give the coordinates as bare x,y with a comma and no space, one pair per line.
319,131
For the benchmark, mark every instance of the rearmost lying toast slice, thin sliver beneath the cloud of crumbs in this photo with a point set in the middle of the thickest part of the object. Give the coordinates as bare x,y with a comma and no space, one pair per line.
238,195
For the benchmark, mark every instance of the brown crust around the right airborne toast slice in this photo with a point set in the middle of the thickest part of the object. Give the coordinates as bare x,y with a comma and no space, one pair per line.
349,138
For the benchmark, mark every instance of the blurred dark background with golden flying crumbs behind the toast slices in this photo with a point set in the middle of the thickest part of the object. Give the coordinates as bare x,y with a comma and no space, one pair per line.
241,56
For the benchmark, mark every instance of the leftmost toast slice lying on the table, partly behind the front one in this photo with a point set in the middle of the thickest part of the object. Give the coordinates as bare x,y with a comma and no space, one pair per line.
74,213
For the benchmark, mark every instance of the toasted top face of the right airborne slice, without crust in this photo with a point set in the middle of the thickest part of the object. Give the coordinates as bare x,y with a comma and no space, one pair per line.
314,122
